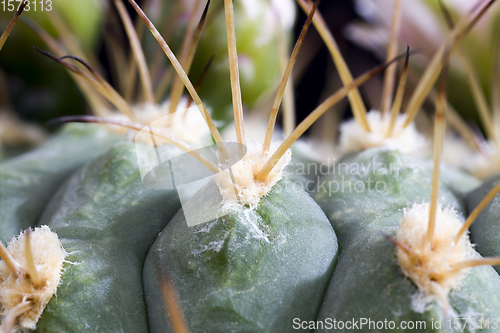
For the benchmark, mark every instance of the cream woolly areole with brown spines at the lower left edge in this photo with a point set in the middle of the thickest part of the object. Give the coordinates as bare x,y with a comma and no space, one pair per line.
48,256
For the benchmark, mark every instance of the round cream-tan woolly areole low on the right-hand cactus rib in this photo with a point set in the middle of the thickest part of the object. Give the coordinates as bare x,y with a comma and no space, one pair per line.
430,268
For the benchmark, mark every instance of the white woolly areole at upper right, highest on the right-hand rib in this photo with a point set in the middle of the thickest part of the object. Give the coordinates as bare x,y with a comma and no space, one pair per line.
354,138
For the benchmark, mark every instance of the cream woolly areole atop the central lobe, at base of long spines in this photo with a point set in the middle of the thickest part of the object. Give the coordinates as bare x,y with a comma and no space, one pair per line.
249,190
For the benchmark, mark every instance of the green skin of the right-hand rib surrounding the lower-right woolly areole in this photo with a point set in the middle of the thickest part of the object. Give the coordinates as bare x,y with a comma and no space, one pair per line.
367,281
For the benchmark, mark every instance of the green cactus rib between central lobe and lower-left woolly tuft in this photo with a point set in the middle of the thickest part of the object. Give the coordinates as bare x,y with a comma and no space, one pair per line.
106,220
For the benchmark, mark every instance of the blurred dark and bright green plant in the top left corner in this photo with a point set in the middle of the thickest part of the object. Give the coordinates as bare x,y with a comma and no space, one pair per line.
38,90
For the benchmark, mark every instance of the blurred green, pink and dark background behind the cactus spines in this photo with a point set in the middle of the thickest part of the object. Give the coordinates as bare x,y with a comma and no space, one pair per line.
37,89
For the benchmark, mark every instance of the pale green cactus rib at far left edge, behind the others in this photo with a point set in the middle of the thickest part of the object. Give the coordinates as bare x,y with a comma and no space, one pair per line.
28,181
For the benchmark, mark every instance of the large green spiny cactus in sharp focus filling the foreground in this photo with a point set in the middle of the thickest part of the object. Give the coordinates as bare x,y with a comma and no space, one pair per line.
261,253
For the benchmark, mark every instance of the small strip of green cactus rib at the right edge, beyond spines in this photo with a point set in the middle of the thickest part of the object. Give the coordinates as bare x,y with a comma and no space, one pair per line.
485,231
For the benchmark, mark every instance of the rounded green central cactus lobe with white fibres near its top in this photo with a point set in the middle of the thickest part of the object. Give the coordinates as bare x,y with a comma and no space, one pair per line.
252,270
